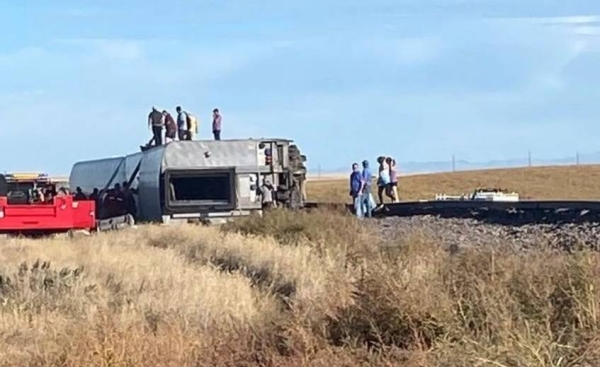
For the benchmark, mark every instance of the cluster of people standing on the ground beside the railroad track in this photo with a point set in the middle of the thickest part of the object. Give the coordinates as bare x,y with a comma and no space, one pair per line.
361,185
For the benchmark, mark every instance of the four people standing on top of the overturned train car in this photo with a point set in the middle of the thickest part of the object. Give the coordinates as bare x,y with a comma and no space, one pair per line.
184,127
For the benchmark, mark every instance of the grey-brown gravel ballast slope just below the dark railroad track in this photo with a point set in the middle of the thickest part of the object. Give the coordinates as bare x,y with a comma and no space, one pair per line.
470,232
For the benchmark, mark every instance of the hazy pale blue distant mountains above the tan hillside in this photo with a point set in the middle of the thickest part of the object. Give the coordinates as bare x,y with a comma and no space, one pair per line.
463,165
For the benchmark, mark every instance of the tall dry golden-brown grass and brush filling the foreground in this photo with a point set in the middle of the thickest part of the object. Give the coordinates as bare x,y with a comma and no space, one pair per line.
292,289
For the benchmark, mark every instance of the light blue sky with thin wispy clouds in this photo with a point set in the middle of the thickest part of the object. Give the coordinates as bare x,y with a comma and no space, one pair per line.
420,80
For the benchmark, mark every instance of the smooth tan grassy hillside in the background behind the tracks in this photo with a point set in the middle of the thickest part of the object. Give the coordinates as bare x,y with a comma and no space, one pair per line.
559,182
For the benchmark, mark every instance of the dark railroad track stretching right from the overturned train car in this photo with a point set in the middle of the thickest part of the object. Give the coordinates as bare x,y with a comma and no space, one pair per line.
505,213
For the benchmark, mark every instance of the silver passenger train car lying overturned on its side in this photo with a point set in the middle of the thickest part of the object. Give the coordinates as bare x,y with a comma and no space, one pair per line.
183,180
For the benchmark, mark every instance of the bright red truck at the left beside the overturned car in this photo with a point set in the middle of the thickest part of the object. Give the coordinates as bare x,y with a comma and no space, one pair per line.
19,215
